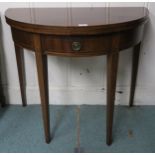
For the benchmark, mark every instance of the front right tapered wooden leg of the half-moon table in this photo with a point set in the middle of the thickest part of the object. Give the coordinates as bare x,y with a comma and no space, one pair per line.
112,65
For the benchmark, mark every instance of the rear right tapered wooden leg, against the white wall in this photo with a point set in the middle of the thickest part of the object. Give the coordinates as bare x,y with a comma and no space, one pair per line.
135,60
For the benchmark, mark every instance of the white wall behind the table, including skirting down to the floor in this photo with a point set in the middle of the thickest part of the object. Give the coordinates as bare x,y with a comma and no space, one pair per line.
79,80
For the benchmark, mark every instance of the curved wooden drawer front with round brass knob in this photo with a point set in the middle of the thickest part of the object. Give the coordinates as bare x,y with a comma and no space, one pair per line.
75,45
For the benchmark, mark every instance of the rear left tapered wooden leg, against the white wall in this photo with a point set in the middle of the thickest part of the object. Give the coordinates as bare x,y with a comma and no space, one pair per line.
21,72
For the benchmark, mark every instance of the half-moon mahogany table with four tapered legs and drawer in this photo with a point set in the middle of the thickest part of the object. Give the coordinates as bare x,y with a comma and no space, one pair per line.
77,32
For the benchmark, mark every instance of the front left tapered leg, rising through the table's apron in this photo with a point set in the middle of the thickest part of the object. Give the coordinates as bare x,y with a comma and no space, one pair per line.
42,69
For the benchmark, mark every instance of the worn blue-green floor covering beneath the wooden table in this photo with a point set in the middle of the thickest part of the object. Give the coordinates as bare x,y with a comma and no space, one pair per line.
21,129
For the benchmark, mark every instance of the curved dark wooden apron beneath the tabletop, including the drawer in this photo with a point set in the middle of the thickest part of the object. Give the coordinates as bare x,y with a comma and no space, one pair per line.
89,45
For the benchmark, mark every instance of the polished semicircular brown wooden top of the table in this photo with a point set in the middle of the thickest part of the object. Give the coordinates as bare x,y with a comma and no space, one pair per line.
76,19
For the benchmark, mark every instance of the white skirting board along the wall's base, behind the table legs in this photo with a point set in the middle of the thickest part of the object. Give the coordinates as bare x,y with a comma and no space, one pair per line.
76,95
